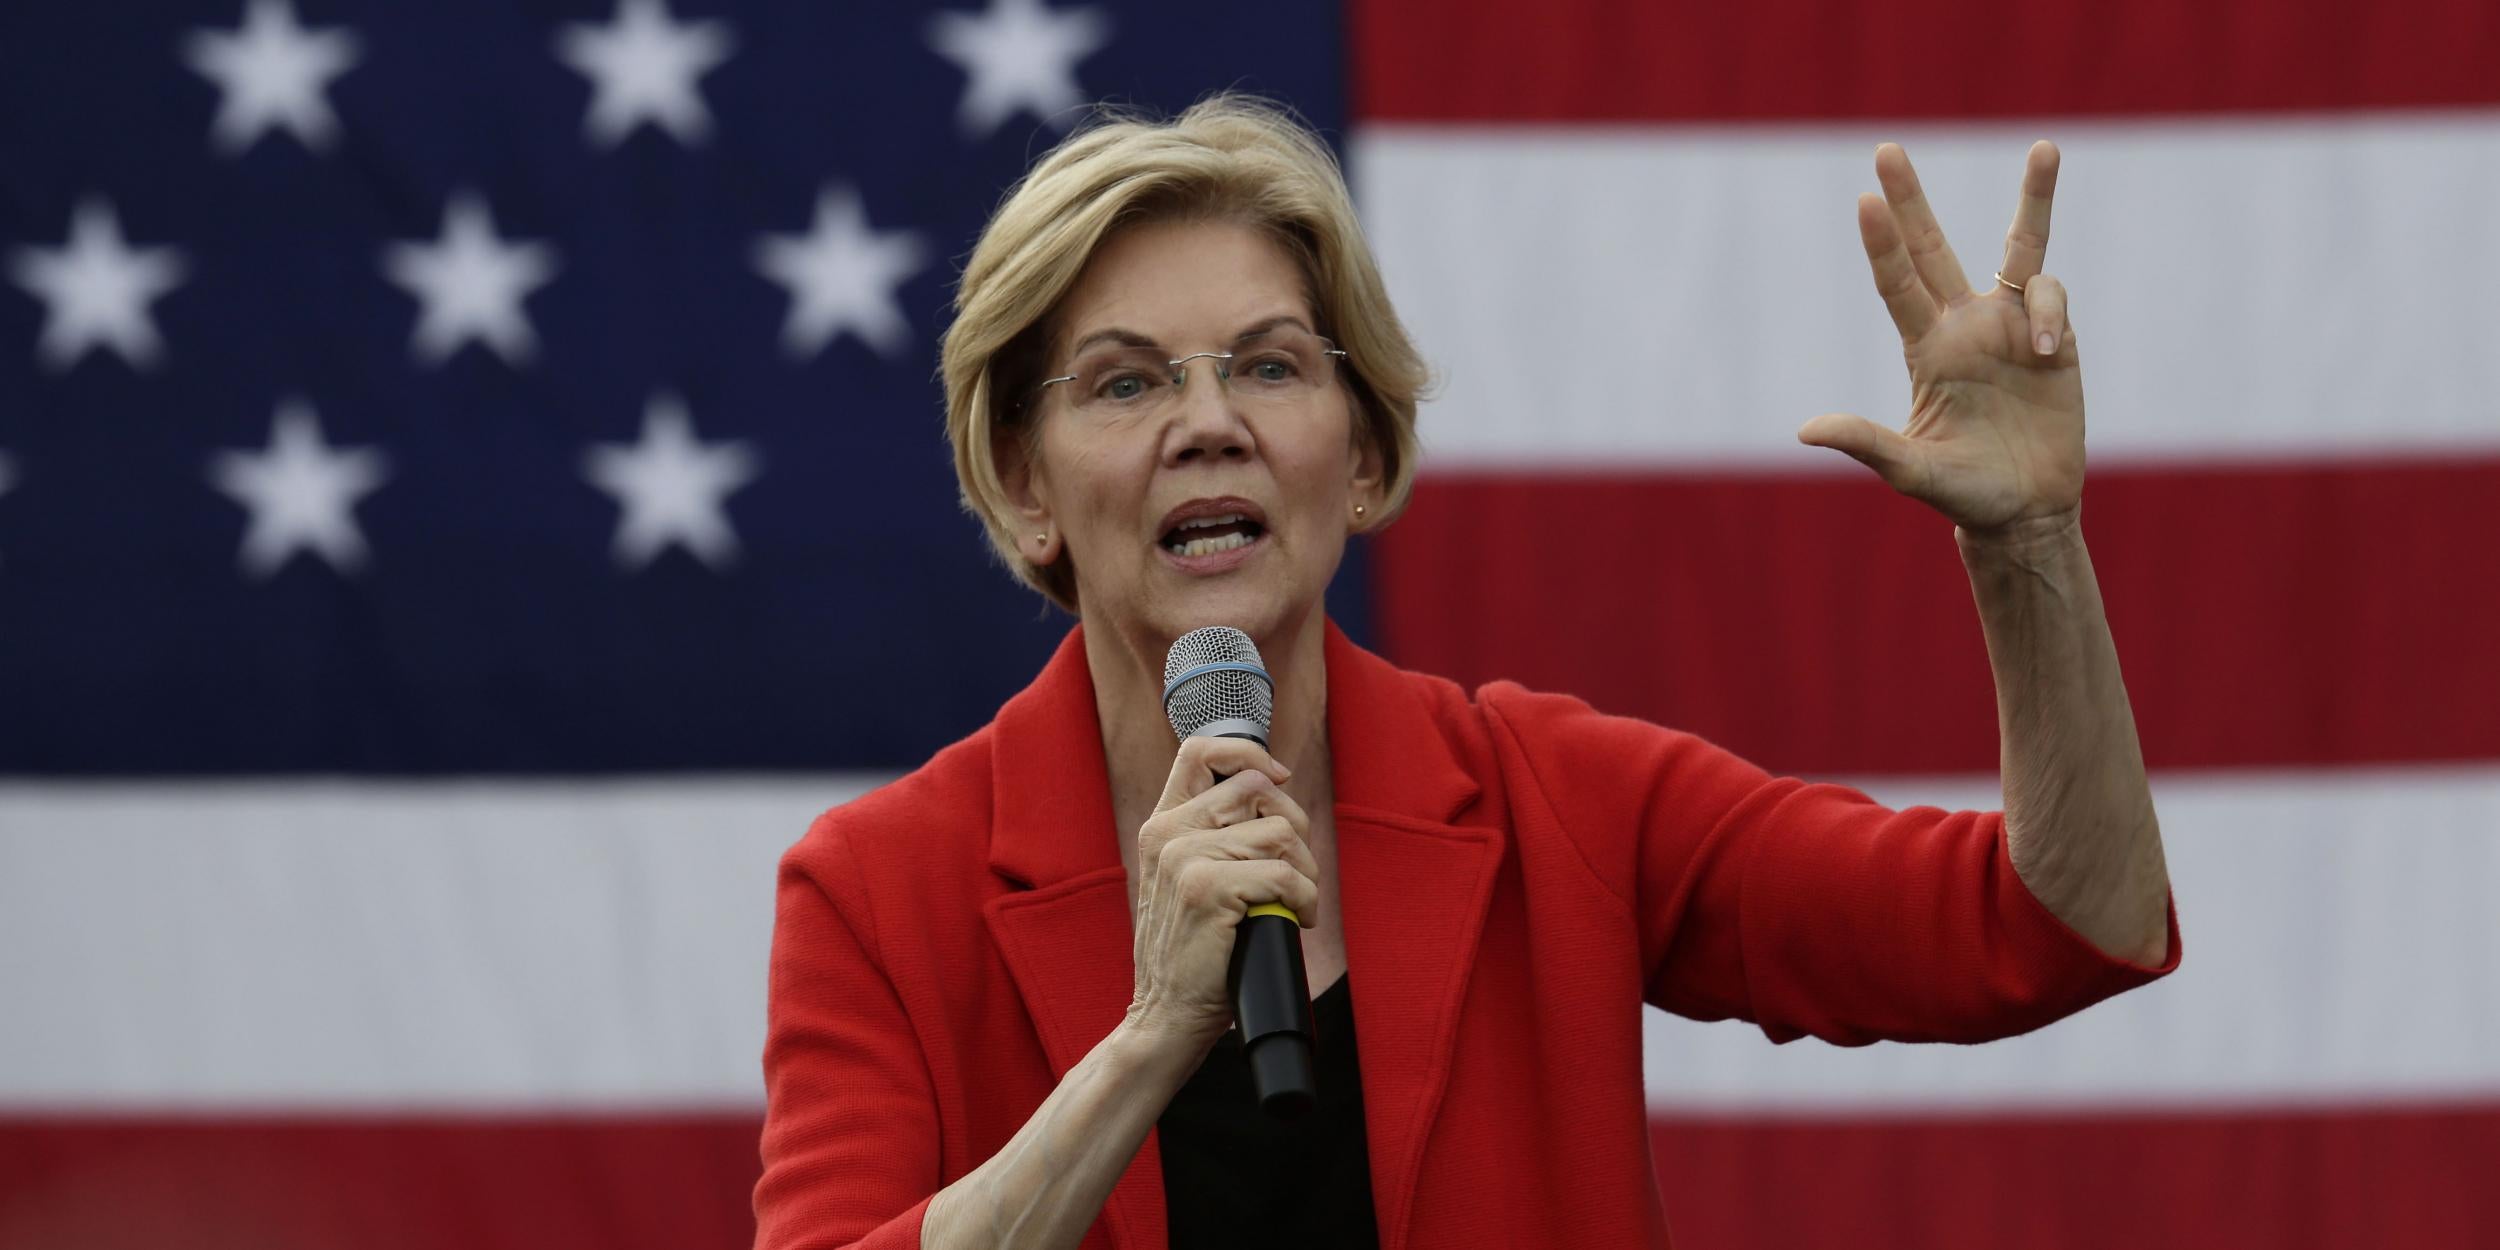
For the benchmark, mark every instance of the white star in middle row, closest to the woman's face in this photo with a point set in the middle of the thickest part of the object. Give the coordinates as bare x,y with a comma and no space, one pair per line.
841,276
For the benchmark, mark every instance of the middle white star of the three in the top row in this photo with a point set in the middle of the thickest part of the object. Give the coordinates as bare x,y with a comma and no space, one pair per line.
644,69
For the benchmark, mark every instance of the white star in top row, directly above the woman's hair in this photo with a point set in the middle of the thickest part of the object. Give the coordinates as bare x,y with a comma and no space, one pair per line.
1019,56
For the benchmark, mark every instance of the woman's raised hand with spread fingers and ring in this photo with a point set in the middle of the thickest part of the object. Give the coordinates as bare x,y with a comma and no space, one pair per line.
1996,386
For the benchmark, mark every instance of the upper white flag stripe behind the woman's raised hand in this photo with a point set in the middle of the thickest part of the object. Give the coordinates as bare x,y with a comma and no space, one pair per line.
2241,289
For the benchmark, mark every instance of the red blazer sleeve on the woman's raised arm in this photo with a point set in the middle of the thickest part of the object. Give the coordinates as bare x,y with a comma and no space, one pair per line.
1806,909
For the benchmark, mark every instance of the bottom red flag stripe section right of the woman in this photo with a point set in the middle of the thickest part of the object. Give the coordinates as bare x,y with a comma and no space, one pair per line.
2154,1181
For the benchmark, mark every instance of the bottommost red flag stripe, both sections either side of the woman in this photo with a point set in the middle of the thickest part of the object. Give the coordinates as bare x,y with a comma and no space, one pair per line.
2206,1181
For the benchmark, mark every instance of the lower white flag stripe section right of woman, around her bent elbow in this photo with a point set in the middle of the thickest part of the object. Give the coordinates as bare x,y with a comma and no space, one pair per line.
2341,946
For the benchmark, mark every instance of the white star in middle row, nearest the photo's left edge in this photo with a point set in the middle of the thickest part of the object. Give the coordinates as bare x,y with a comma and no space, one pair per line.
96,289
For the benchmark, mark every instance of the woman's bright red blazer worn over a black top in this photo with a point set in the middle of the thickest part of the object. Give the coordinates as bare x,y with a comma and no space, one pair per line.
1519,876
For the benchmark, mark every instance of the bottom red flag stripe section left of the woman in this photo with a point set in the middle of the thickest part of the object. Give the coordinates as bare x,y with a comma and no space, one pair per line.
379,1184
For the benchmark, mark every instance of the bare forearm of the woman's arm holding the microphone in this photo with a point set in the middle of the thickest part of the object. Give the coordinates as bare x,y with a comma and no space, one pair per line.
1049,1184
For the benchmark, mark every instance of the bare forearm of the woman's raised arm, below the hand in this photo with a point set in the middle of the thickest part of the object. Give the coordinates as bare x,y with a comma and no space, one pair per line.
2079,811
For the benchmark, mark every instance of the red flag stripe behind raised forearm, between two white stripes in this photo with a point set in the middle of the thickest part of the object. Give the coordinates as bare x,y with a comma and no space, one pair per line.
2264,616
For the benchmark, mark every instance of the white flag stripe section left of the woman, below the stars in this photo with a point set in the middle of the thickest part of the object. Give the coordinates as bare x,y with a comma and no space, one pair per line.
371,944
